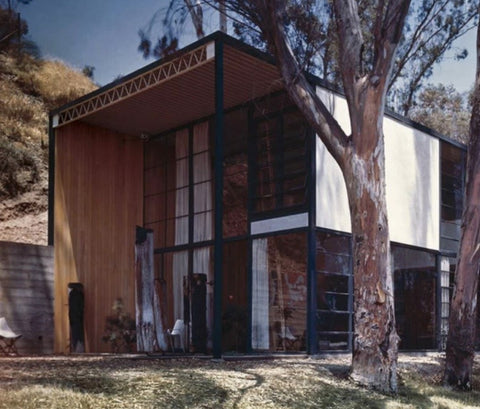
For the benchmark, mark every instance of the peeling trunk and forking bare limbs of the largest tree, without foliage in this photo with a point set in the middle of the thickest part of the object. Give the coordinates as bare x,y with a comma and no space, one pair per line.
361,158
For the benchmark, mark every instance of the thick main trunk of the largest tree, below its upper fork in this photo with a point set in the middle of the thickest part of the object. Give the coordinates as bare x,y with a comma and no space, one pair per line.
375,341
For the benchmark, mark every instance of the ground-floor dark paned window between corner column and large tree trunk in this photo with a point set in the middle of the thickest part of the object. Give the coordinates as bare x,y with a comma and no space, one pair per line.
334,300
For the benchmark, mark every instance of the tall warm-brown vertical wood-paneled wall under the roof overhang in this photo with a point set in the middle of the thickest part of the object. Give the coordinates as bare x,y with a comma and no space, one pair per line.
98,203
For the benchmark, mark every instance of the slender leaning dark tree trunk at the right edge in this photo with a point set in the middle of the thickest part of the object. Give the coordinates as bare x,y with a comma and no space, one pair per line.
461,327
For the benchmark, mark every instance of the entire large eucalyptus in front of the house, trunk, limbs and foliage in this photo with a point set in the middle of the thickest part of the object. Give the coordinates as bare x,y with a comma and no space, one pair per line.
354,43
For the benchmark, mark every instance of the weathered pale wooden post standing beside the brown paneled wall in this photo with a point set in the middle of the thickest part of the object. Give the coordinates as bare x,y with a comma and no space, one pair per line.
150,328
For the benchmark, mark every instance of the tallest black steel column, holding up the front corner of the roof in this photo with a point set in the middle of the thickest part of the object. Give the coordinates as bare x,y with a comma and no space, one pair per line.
218,246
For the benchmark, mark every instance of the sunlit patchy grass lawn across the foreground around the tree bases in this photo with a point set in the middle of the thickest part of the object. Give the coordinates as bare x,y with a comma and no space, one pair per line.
136,381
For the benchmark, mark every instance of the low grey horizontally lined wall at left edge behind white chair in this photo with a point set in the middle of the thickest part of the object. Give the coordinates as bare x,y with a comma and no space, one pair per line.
26,295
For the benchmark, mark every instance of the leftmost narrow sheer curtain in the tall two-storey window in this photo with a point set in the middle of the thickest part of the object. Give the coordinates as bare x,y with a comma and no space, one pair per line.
180,259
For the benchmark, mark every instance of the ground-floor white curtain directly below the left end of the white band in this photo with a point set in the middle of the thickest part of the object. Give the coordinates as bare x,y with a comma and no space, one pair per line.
260,294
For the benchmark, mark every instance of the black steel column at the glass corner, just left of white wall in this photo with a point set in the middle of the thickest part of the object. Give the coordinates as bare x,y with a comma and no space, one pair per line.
312,343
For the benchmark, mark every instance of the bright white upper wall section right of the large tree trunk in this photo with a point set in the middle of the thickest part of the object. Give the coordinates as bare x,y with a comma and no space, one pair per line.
413,185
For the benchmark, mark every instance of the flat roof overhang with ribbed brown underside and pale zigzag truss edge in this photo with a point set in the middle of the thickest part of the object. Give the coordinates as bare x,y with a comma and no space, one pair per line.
177,90
